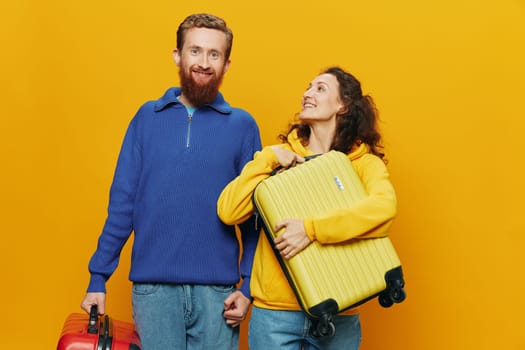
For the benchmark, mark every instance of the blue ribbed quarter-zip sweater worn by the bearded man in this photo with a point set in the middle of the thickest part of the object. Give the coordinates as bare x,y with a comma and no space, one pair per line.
170,172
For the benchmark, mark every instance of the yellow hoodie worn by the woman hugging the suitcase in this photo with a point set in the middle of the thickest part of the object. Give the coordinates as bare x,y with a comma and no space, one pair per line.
372,217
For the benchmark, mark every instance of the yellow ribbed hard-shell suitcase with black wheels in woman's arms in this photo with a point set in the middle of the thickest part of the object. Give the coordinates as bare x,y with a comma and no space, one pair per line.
328,279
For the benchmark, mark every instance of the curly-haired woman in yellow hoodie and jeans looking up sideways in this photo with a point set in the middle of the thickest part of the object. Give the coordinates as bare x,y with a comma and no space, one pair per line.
335,116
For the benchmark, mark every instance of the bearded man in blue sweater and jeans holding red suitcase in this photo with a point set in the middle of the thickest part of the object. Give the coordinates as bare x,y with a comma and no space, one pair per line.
179,152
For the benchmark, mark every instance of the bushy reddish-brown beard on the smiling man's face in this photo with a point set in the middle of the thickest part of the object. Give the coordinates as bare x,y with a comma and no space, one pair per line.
199,94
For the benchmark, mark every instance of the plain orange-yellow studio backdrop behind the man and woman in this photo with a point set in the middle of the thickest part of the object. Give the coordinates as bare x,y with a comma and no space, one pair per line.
448,78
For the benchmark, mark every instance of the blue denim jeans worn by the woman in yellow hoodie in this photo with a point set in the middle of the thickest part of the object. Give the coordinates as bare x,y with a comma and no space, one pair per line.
290,330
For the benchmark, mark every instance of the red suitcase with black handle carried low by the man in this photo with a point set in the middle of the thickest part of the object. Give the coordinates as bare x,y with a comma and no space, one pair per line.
94,332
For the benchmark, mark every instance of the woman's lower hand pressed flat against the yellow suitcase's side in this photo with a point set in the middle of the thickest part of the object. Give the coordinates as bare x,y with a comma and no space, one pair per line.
293,239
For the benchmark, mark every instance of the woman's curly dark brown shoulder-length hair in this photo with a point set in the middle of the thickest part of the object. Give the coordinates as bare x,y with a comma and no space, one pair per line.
356,124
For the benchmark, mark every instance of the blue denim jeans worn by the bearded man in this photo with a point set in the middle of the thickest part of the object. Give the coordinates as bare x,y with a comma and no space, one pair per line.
182,317
